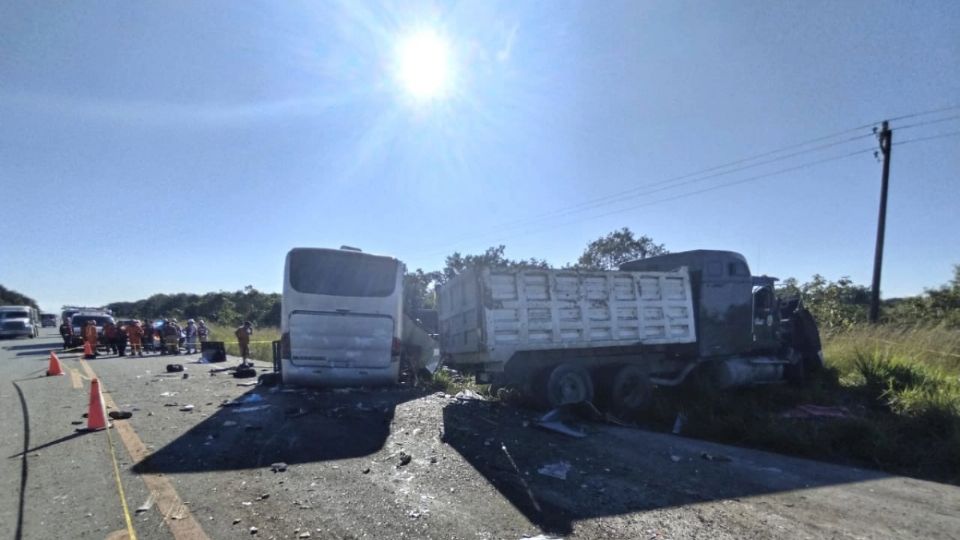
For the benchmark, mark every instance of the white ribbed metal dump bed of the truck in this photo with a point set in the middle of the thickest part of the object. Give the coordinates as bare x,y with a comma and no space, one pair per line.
497,312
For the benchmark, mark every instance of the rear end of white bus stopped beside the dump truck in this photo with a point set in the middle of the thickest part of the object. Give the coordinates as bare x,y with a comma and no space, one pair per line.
342,318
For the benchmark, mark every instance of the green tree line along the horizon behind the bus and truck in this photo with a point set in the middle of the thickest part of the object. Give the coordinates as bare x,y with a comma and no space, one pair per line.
836,305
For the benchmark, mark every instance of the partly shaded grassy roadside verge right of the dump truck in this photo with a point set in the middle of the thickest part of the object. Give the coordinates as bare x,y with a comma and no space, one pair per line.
901,387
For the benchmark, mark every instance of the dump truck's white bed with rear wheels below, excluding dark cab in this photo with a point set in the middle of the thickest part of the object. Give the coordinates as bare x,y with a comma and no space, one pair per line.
555,332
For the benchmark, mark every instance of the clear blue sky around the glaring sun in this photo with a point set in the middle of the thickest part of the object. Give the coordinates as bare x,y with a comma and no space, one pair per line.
187,146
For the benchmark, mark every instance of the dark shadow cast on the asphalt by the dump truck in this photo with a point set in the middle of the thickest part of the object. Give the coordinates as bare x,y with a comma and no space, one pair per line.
556,480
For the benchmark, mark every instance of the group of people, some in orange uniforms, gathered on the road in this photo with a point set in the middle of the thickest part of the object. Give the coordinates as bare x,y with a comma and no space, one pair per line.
139,336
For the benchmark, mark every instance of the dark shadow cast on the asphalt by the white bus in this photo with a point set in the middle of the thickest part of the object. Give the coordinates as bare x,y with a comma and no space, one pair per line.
269,425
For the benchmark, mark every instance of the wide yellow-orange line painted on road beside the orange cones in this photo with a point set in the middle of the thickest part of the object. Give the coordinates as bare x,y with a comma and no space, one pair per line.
176,515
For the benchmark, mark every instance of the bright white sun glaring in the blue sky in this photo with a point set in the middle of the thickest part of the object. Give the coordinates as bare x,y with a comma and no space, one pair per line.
424,68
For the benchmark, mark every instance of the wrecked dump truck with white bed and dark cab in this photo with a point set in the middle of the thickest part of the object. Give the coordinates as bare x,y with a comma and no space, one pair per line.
565,335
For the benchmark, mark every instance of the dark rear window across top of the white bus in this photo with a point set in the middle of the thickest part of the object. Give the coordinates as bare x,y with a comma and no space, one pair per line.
342,273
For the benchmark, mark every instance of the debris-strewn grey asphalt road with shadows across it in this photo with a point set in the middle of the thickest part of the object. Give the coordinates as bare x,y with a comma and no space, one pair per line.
475,470
